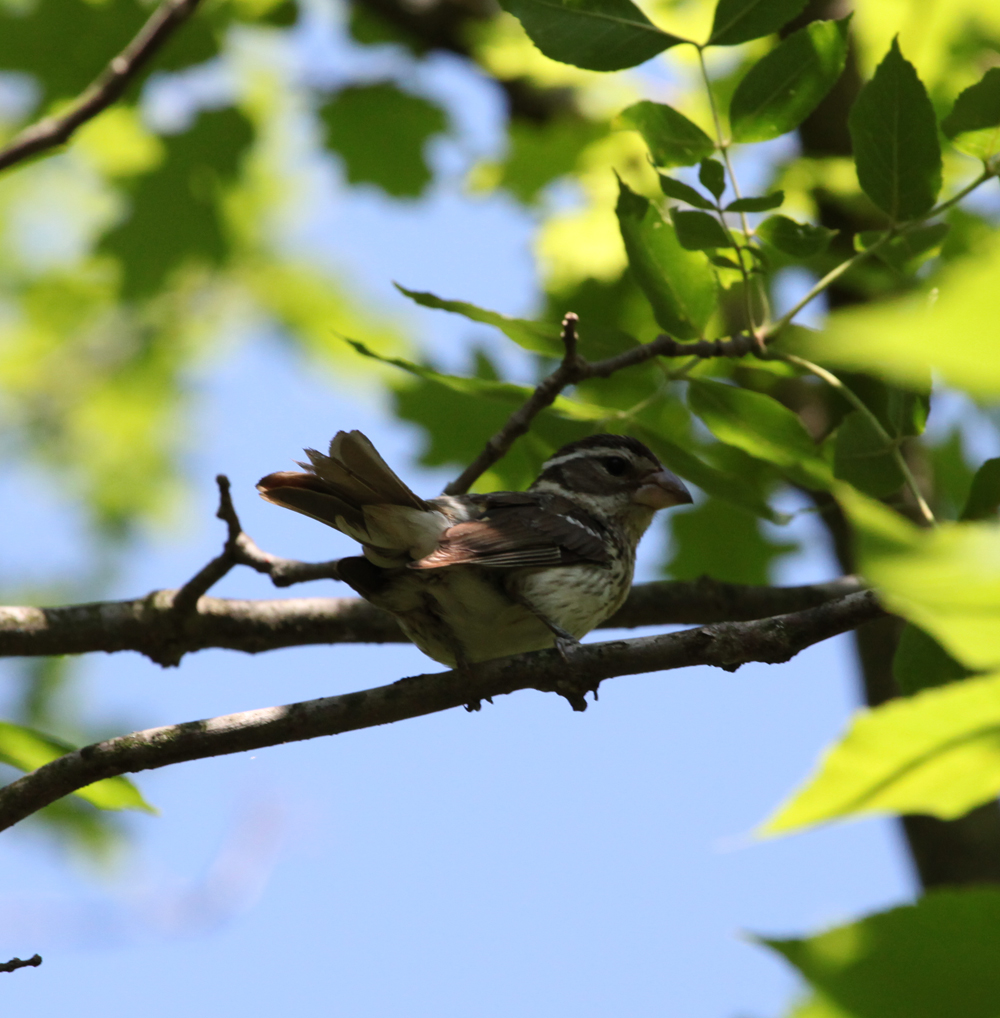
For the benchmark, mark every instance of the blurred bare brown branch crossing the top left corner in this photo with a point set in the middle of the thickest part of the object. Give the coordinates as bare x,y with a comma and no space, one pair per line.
107,88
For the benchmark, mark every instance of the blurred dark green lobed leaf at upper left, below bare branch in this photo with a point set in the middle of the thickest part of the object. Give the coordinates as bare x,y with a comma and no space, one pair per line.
176,214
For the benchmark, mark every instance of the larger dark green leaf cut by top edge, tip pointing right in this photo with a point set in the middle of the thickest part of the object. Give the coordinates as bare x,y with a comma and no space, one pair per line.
596,35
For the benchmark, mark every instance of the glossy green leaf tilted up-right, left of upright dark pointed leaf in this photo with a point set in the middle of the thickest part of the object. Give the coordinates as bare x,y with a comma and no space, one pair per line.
780,92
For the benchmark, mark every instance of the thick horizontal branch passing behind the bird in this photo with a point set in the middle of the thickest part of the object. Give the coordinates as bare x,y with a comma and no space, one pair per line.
151,626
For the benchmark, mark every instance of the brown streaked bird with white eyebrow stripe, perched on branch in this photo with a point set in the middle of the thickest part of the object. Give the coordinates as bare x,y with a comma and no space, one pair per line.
471,578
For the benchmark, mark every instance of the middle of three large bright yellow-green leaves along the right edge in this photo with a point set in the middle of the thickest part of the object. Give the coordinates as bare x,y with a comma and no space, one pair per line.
945,581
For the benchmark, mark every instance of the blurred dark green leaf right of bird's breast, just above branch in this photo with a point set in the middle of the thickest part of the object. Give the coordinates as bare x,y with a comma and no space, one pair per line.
723,542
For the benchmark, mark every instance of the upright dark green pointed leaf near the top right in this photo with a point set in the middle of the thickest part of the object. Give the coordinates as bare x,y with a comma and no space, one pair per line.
896,141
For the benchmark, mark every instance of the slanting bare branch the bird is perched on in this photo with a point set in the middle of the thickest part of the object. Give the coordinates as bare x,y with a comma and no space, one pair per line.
726,646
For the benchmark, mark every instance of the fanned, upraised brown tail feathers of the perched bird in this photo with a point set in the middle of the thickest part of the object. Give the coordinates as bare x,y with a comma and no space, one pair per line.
337,488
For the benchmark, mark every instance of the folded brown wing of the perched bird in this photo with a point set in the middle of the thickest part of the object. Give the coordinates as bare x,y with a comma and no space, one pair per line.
520,529
